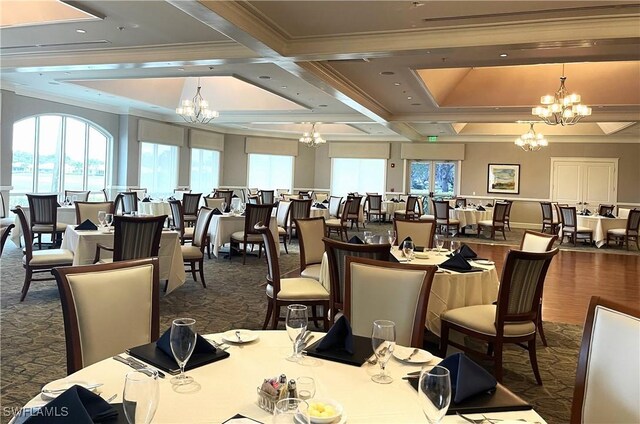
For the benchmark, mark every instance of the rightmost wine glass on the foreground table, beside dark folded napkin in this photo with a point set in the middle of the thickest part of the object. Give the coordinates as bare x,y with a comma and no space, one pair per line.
434,392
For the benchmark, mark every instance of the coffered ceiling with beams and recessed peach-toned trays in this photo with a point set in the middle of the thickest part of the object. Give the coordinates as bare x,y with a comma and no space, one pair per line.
383,70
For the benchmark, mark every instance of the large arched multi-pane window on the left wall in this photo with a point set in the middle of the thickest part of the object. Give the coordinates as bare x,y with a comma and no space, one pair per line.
53,153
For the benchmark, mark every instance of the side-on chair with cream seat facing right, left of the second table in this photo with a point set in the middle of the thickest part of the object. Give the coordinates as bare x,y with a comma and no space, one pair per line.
287,291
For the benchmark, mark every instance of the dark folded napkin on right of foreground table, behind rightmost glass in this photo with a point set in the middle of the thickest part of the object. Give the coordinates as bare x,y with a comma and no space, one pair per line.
467,377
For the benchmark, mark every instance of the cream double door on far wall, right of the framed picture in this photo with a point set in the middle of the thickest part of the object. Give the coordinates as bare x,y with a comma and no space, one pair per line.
588,180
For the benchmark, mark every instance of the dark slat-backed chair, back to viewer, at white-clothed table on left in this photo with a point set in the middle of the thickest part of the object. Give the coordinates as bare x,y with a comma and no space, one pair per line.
134,237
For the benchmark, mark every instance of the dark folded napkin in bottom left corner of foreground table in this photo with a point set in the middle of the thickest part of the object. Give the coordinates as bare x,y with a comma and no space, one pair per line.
80,406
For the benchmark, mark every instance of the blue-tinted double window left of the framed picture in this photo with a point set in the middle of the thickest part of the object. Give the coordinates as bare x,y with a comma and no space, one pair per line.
433,176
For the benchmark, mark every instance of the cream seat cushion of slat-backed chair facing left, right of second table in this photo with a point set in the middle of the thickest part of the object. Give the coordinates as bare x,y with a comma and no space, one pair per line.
481,319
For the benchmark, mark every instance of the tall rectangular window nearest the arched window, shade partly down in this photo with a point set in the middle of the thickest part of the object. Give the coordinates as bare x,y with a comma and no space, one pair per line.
158,169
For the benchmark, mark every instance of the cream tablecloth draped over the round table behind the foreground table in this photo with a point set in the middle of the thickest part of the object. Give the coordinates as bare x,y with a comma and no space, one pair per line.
449,290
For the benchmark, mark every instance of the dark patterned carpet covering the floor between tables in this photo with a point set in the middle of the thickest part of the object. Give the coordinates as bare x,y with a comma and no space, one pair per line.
32,337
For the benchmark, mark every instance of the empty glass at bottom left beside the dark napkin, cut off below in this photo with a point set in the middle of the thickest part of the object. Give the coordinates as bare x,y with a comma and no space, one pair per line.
140,396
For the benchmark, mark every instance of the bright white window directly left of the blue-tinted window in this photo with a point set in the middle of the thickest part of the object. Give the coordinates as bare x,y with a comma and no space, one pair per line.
357,175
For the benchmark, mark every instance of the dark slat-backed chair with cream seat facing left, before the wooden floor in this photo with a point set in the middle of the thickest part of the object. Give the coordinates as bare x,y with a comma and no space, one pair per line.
512,319
